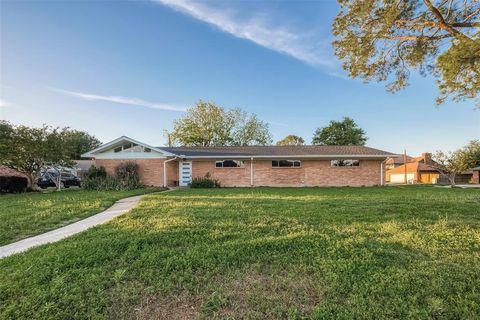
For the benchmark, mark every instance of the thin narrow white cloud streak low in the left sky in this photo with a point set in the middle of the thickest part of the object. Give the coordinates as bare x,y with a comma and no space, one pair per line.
120,100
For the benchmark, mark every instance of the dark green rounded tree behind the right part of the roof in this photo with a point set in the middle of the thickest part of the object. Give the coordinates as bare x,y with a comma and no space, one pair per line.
345,132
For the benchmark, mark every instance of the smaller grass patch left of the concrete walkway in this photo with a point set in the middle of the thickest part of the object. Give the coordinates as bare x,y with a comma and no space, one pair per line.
28,214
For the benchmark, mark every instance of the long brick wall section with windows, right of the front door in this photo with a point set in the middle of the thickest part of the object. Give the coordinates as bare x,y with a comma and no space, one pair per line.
311,173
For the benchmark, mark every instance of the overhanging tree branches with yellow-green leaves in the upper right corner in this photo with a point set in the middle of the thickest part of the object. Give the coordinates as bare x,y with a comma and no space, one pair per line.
384,40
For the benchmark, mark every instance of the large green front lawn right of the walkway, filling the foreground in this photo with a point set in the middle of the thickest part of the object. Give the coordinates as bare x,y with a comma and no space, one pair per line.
344,253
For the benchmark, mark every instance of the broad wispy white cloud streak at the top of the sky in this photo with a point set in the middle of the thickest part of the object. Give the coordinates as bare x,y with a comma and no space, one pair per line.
280,39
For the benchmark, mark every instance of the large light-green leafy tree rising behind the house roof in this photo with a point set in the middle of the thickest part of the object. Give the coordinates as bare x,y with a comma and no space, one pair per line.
207,124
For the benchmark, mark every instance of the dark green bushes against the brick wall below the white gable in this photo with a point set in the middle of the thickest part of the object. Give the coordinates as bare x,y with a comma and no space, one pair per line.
126,178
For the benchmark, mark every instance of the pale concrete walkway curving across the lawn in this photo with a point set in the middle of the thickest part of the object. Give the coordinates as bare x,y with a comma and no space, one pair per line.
120,207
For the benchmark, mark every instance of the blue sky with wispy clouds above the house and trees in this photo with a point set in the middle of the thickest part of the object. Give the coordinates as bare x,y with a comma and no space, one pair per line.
130,68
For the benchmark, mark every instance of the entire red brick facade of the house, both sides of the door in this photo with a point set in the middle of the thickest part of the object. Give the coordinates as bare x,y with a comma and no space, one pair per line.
311,173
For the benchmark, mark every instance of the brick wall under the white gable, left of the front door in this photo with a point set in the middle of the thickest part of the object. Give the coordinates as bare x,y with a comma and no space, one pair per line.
150,170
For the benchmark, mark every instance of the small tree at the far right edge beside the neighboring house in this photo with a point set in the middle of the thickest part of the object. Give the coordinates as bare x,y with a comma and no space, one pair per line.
452,163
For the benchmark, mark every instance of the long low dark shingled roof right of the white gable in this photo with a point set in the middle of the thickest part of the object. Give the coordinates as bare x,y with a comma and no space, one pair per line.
278,151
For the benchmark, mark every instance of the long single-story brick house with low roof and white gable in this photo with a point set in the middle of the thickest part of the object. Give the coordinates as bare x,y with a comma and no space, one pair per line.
247,166
